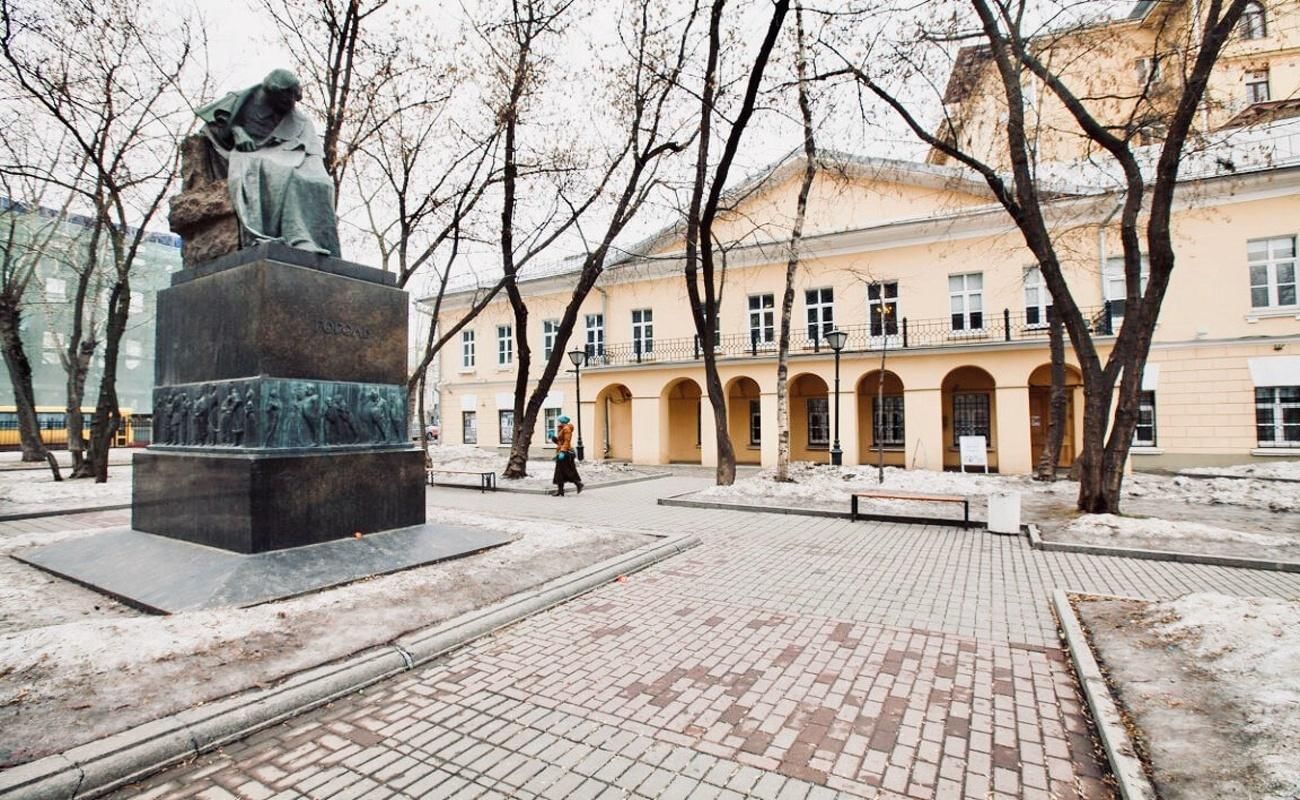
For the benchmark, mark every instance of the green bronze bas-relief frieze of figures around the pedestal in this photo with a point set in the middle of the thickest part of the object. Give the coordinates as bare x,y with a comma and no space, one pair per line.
275,414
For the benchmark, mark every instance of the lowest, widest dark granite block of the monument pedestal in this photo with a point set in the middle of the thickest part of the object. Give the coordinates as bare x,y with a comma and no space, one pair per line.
261,503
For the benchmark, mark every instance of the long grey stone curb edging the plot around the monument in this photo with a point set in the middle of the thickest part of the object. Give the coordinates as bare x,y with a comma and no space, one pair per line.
97,768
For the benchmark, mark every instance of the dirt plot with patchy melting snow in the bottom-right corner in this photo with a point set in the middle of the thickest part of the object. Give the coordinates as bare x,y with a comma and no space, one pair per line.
1212,684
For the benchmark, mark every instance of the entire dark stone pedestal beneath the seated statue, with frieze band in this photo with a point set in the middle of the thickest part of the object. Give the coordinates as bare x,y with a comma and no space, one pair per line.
279,405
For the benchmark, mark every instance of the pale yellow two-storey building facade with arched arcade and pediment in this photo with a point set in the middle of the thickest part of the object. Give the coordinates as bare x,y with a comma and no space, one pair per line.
946,317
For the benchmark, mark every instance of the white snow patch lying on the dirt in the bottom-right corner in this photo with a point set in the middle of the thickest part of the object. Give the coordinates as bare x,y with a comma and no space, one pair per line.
1251,647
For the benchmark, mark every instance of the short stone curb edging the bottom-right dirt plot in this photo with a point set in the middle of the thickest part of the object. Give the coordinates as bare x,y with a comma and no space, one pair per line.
1129,772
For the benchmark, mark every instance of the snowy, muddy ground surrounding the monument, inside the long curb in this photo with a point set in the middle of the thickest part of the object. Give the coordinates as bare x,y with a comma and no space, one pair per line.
76,667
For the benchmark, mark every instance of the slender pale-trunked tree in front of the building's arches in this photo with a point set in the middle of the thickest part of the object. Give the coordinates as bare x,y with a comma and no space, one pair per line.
792,265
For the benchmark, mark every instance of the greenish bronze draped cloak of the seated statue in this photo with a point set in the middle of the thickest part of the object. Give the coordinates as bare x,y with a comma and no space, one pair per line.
281,191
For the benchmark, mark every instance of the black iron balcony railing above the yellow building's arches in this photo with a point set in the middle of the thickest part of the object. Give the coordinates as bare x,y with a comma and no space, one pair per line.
904,335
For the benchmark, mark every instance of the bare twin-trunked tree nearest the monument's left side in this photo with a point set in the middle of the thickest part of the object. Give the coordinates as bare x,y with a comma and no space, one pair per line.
101,73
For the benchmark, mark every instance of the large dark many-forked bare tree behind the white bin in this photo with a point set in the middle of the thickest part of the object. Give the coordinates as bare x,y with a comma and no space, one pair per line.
1111,386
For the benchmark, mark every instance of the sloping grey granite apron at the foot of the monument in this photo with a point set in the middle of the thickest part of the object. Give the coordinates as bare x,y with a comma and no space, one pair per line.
166,576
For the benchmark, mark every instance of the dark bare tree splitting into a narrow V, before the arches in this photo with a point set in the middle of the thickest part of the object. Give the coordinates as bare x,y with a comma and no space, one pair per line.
703,271
